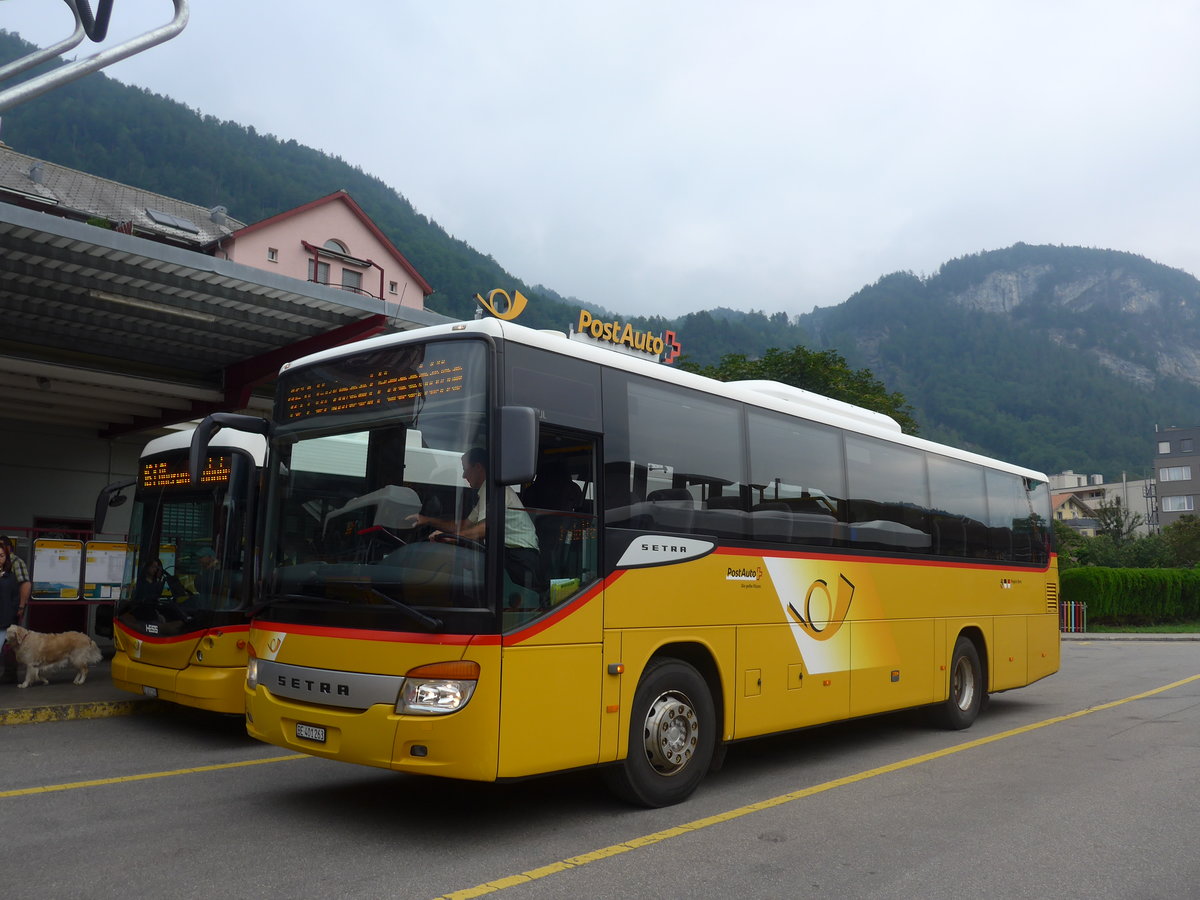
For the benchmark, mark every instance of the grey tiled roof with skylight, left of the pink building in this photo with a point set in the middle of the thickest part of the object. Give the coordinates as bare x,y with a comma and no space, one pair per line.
37,184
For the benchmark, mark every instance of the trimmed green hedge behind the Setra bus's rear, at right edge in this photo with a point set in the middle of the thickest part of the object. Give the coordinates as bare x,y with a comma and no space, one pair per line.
1135,597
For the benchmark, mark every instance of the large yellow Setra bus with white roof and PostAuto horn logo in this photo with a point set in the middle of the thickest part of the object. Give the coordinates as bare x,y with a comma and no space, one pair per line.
709,562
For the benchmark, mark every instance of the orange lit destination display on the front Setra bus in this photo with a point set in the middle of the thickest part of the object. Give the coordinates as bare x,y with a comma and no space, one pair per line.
379,391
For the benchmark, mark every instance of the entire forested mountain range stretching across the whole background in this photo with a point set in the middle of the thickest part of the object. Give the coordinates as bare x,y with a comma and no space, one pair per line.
1049,357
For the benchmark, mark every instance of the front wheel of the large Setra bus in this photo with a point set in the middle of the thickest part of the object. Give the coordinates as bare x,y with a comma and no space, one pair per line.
671,737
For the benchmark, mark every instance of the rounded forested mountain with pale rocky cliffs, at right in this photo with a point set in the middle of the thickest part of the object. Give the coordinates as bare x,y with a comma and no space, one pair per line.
1052,357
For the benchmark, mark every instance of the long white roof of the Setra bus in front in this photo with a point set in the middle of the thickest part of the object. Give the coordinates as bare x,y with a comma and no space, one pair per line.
767,395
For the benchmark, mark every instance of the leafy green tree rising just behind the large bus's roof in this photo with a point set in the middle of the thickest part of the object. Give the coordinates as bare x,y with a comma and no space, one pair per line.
819,371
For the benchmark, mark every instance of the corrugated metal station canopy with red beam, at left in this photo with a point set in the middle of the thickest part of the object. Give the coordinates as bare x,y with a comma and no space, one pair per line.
118,334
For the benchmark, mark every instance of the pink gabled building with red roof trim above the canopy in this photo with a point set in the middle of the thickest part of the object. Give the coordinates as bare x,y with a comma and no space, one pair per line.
331,242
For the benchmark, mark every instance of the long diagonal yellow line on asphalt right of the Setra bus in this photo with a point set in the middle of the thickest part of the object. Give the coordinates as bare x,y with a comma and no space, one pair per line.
721,818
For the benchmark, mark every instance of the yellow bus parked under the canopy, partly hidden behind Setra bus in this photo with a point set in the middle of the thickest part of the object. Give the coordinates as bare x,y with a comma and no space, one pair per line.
181,627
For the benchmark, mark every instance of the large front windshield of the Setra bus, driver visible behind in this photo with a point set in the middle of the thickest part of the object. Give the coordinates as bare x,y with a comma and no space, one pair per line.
368,446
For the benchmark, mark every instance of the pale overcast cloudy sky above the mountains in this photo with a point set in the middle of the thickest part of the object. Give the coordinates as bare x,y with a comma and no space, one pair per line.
662,157
